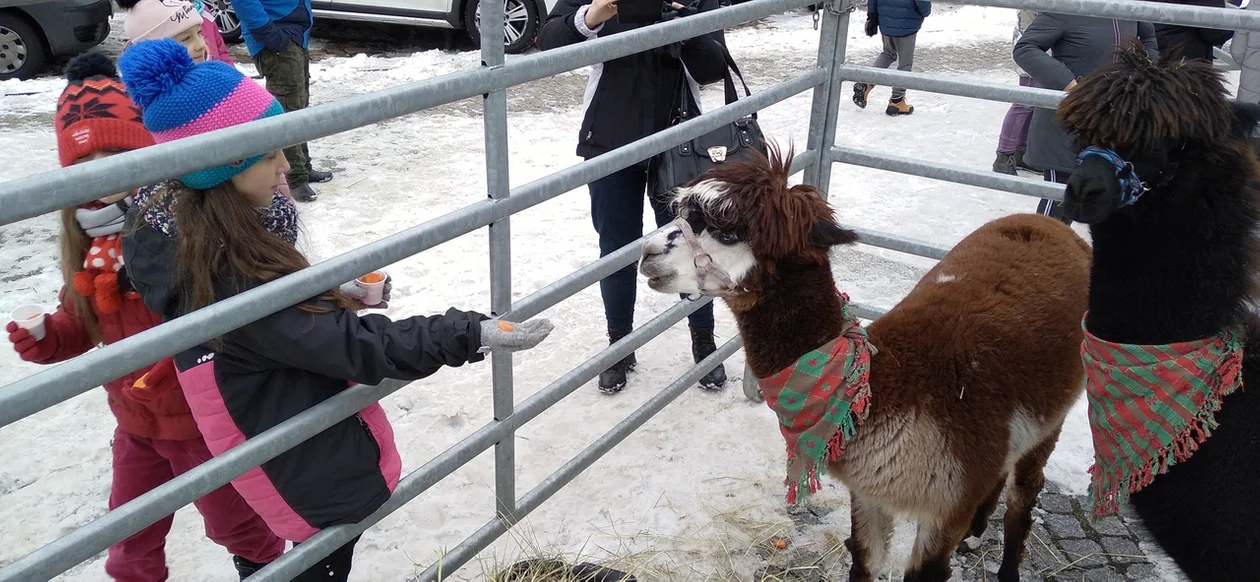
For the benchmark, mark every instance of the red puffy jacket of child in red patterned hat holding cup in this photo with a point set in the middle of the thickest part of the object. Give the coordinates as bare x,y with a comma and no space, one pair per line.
167,418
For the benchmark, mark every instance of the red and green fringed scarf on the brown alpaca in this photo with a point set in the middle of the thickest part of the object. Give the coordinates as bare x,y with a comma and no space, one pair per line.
820,402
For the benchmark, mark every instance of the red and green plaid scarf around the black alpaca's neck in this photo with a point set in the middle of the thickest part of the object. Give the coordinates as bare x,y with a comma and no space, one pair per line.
1151,406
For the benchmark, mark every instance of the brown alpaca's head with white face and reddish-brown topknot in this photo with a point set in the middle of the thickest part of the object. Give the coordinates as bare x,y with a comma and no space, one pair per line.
738,226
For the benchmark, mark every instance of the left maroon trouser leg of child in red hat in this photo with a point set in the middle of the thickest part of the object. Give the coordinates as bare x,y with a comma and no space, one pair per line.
138,469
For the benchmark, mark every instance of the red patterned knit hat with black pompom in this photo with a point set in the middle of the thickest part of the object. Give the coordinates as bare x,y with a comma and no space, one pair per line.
95,114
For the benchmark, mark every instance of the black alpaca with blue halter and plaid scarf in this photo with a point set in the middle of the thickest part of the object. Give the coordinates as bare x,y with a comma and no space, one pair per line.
1170,191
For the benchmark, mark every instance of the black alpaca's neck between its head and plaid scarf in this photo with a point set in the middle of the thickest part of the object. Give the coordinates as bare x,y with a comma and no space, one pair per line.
1177,266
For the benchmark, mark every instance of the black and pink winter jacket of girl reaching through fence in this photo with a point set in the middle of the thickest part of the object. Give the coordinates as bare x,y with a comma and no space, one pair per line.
280,366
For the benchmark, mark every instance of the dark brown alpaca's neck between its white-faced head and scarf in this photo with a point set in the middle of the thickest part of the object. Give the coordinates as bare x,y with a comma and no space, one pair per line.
797,313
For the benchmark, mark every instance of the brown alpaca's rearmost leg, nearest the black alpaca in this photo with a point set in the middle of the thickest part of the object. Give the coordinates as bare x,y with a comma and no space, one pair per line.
1021,498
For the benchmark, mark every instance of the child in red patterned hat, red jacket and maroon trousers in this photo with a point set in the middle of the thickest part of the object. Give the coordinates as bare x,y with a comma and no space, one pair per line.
157,438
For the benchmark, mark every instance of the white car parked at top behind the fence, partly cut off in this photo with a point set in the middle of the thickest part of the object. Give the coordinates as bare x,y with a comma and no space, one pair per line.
521,27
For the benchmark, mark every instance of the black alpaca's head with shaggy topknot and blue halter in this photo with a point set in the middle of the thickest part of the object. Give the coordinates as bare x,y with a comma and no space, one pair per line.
1137,123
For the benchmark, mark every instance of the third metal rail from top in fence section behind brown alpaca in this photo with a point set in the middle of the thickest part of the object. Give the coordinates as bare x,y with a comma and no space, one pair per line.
948,173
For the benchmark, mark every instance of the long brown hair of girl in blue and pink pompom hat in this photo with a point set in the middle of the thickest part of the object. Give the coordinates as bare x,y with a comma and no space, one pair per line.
221,240
